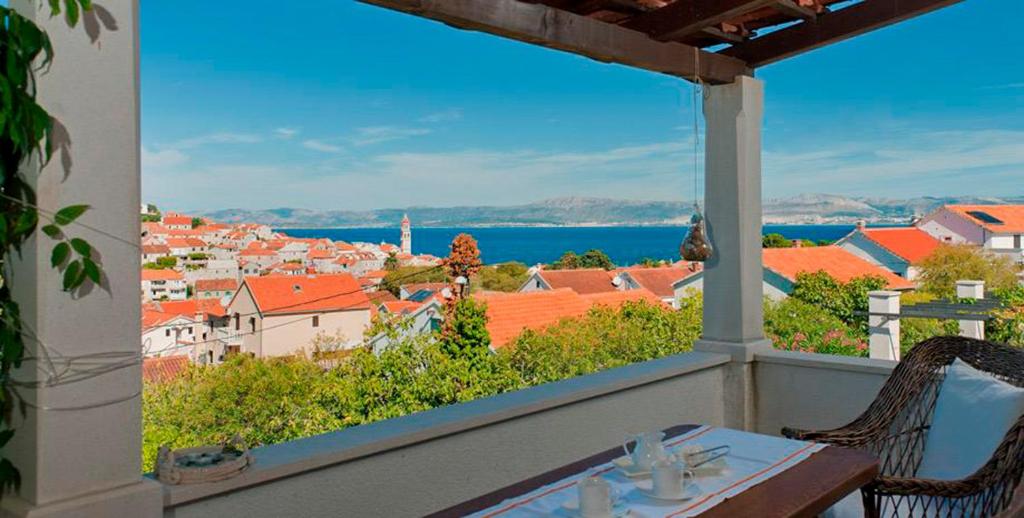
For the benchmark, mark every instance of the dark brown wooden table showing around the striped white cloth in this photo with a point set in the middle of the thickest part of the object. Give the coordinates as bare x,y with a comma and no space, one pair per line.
803,491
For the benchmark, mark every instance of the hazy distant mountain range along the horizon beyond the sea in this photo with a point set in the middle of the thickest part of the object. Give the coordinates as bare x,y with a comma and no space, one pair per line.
808,209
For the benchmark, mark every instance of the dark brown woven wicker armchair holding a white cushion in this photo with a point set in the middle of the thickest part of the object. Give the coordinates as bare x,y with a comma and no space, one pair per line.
895,427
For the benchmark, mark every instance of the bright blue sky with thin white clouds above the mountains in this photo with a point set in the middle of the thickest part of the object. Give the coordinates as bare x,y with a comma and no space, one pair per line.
337,105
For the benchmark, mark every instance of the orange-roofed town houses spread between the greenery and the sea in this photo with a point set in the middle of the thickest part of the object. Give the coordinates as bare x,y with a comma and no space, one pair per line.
211,290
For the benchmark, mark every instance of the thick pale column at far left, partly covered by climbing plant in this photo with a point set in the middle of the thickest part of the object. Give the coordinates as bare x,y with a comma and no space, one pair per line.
78,447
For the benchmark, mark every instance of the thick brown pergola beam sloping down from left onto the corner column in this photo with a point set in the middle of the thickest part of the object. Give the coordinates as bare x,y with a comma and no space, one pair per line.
561,30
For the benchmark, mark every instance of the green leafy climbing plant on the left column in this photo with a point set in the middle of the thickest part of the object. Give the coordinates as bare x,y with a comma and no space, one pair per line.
27,136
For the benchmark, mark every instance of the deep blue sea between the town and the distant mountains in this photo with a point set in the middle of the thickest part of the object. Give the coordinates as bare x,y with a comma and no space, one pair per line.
625,245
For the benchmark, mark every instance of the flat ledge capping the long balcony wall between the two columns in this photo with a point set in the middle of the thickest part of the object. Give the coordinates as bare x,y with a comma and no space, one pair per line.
290,459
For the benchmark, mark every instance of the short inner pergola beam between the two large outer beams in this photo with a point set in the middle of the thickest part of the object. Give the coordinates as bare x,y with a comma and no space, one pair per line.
687,18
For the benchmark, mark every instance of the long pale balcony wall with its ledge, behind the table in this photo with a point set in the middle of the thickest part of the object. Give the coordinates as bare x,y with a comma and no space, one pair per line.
426,462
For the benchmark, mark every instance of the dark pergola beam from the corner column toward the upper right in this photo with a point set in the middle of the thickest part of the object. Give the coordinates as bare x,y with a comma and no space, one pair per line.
830,28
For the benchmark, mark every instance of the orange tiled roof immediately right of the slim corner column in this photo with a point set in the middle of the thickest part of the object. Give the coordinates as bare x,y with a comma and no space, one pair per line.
836,262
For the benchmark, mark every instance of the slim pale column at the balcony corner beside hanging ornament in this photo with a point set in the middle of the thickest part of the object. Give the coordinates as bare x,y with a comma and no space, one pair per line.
734,320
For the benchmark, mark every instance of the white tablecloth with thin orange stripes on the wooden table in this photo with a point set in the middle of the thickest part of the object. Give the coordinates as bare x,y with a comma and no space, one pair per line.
753,459
